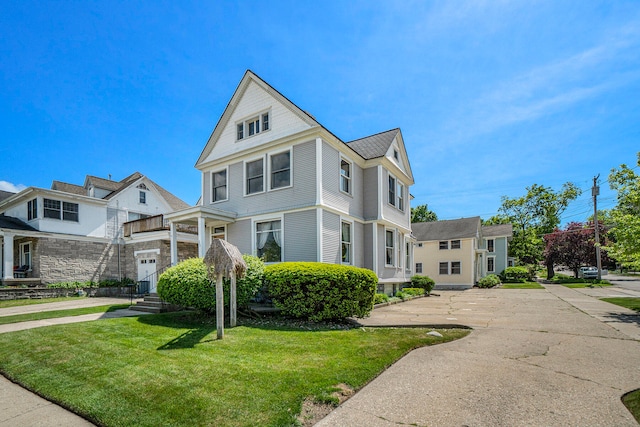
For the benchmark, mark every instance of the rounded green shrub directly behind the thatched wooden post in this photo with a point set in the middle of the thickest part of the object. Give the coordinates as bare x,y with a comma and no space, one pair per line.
187,284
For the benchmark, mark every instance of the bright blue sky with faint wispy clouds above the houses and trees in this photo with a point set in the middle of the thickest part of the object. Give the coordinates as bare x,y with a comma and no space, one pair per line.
491,96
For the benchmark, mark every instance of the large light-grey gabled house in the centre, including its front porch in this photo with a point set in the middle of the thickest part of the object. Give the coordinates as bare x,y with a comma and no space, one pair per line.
279,185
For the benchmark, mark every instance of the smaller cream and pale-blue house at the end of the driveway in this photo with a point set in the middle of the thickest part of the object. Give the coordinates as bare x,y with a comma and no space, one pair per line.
457,253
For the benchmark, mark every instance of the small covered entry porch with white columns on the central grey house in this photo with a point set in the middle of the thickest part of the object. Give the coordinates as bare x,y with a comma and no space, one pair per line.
203,218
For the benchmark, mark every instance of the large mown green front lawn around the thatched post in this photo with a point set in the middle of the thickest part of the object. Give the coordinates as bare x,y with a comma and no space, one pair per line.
170,369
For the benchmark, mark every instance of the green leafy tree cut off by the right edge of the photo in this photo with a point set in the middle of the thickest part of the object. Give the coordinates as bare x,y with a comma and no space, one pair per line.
625,247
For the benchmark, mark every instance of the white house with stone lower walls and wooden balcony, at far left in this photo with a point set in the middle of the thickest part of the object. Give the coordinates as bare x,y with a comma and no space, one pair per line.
83,232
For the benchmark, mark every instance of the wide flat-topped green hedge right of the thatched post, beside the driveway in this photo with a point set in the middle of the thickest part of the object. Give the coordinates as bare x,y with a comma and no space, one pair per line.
318,291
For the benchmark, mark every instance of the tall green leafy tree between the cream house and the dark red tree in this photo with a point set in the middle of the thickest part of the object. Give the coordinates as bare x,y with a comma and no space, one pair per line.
533,215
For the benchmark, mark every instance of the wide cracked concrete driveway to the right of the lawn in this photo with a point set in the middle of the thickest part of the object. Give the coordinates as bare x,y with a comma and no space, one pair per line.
553,357
